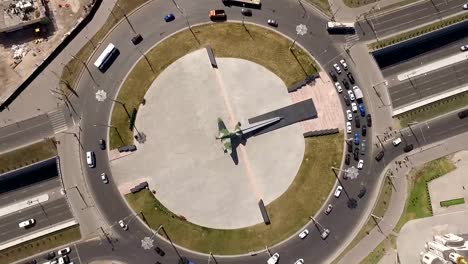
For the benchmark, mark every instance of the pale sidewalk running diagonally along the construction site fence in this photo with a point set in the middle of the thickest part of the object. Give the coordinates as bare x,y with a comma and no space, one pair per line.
37,98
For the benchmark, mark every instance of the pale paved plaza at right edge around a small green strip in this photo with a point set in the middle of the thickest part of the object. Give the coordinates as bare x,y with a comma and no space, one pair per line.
451,186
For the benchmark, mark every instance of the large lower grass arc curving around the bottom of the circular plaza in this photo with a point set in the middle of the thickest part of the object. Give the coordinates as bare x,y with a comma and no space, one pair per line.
288,213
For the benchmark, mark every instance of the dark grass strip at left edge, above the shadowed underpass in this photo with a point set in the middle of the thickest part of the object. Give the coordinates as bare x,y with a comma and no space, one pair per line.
27,155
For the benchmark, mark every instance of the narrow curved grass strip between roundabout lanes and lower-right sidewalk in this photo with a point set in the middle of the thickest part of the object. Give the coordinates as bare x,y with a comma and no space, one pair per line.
379,210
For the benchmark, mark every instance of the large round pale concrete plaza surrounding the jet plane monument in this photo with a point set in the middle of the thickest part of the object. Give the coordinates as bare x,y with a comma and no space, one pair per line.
189,171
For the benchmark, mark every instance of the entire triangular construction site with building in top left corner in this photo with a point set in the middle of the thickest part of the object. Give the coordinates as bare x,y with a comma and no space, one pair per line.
29,31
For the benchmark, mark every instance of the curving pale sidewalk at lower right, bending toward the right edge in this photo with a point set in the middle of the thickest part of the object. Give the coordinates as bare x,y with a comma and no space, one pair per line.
398,199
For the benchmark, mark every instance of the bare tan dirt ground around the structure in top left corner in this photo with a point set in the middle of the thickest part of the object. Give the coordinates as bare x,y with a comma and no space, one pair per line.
64,15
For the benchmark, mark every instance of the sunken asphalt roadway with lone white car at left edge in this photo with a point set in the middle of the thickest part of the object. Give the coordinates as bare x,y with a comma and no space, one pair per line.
46,214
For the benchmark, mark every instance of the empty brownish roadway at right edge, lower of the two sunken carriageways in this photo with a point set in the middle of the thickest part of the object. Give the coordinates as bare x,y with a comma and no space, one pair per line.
426,85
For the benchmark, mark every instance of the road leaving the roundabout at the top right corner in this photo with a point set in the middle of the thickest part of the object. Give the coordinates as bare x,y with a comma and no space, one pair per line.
403,19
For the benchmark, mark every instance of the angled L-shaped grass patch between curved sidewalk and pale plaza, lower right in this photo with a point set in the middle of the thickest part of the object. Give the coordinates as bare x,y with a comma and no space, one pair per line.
418,204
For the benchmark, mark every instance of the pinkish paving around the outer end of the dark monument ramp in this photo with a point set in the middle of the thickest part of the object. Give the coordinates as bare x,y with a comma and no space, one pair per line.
327,103
